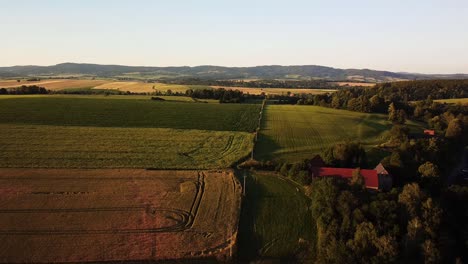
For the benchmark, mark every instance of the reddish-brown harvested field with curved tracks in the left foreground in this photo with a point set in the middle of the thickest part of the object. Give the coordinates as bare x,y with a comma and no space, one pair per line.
116,215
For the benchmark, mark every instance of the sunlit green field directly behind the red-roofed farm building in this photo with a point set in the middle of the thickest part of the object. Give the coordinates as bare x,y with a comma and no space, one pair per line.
293,132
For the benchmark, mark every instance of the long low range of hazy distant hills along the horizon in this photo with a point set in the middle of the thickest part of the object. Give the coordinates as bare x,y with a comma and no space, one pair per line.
303,72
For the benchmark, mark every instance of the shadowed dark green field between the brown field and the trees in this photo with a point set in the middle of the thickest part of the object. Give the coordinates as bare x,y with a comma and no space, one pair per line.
275,217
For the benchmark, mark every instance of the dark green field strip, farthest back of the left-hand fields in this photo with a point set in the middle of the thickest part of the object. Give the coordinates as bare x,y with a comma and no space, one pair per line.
88,111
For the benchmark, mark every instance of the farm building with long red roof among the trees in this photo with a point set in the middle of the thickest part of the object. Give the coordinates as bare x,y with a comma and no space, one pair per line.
376,179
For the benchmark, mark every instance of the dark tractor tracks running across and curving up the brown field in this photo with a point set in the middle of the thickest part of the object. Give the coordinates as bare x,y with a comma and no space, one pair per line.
184,221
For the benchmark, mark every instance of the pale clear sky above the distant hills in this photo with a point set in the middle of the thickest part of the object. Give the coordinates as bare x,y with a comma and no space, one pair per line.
425,36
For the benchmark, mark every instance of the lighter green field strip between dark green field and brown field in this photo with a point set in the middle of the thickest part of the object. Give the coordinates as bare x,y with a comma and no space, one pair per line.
33,146
